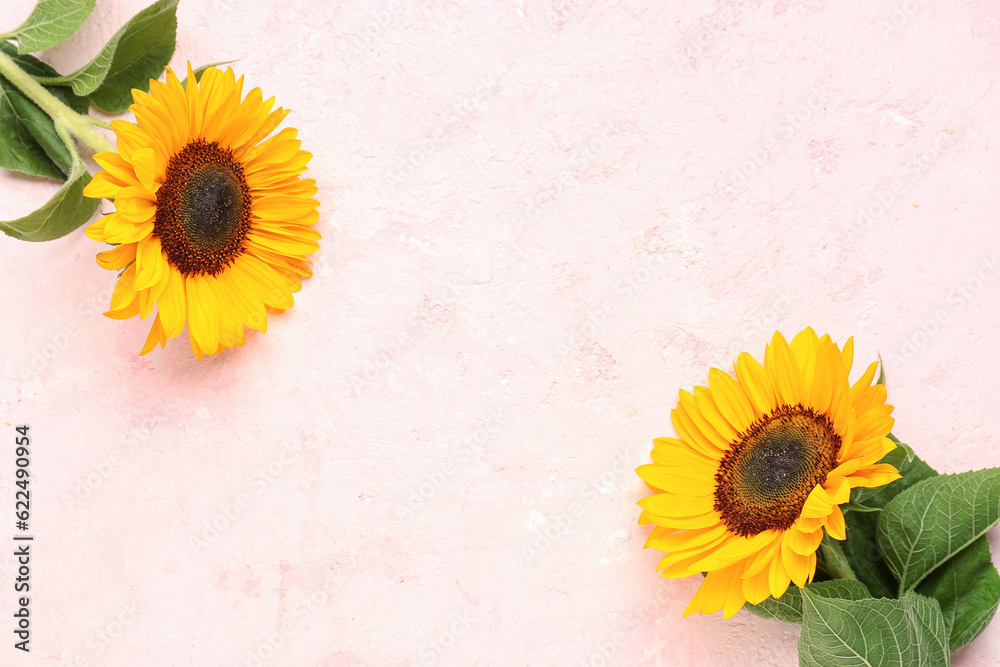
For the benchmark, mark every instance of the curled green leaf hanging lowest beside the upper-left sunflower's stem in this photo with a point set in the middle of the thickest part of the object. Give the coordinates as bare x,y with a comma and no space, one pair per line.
66,211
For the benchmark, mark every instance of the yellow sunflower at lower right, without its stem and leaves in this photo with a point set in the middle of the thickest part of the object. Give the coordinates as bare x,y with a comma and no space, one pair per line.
761,467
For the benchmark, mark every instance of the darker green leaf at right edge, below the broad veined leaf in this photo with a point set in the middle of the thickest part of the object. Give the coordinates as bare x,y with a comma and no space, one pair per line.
968,589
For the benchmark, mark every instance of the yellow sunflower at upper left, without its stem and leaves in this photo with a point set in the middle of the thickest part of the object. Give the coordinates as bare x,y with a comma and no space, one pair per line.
212,219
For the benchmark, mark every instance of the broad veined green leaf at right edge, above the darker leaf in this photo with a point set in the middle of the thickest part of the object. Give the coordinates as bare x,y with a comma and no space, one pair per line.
932,521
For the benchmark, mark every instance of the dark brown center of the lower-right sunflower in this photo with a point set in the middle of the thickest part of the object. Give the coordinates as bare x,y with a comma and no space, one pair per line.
764,480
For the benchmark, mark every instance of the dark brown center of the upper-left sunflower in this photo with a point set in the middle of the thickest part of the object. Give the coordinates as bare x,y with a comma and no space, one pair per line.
203,209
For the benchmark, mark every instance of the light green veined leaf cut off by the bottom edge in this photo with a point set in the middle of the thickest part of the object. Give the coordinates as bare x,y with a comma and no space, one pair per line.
908,632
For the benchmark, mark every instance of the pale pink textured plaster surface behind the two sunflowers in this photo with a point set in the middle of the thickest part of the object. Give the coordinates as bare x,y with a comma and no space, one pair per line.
540,220
